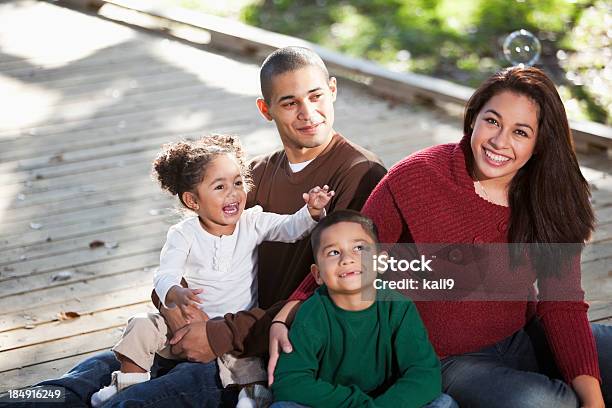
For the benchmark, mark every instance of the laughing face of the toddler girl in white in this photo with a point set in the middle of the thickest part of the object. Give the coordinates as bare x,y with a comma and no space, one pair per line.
221,196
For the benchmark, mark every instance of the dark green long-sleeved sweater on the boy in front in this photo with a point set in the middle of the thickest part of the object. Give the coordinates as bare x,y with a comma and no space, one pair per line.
377,357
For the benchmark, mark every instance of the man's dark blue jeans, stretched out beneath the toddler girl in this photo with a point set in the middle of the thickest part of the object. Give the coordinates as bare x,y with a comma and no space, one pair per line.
173,384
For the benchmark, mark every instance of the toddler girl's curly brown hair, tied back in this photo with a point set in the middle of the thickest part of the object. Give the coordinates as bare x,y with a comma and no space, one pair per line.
180,166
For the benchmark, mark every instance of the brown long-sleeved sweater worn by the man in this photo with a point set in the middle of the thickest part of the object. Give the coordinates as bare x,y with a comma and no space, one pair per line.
352,172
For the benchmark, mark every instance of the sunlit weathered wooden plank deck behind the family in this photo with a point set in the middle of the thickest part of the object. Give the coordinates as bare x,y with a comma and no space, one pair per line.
86,104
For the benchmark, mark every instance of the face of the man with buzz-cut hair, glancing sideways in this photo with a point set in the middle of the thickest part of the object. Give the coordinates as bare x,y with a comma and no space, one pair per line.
302,106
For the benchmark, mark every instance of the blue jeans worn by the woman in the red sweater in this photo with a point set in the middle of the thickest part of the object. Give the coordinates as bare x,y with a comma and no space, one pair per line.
520,372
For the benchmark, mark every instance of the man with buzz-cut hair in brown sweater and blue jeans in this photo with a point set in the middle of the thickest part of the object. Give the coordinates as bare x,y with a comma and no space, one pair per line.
298,95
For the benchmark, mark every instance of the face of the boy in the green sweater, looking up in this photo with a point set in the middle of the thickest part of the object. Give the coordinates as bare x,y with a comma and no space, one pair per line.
339,259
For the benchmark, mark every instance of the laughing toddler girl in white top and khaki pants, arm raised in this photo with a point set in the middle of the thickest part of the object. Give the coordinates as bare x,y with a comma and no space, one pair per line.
215,252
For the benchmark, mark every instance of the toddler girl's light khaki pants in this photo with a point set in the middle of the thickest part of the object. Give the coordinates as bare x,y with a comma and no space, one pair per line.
147,335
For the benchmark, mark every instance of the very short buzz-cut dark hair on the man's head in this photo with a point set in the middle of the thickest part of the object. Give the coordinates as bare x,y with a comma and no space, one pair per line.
287,59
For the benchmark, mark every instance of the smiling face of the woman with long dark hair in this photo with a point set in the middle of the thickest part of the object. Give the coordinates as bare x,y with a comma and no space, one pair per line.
504,136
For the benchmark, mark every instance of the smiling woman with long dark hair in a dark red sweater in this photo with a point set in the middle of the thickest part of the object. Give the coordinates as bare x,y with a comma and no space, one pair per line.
513,178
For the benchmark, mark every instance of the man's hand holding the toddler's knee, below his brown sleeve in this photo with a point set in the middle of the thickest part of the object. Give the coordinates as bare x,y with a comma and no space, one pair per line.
191,342
